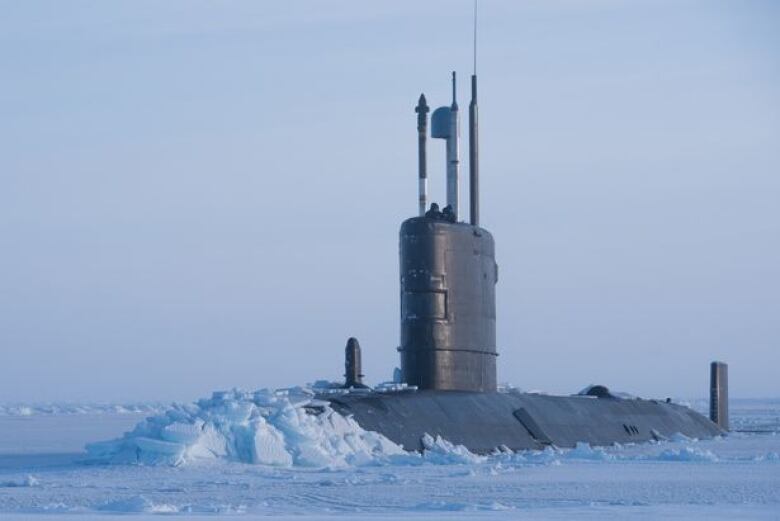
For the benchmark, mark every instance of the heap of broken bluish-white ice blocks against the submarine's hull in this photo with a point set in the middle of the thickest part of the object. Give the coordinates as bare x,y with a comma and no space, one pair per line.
281,428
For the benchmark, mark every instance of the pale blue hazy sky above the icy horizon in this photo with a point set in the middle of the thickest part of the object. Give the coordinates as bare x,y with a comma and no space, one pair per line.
200,195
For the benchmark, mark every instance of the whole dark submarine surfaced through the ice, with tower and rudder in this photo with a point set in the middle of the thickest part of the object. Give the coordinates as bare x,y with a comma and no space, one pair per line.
447,384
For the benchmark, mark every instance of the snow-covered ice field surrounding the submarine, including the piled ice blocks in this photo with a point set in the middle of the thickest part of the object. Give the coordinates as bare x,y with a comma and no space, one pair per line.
234,465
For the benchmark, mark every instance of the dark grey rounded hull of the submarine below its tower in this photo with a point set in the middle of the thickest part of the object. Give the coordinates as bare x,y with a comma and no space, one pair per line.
486,421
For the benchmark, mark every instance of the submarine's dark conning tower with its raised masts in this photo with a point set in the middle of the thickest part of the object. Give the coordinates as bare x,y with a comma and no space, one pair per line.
448,276
